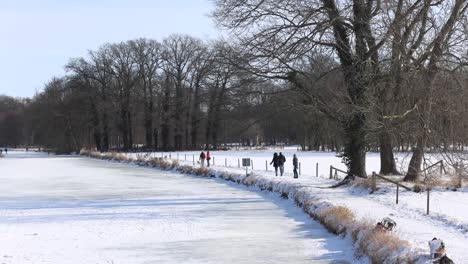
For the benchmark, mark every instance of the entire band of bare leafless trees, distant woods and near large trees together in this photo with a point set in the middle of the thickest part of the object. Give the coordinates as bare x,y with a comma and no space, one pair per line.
346,76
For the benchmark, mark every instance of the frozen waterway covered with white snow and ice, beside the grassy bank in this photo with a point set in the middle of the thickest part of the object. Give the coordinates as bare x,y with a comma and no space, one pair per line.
79,210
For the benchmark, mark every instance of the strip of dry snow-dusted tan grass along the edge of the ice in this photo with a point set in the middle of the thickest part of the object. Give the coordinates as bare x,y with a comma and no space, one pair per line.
380,247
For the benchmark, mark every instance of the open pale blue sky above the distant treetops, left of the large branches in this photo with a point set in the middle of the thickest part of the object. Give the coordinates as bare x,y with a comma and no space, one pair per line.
39,36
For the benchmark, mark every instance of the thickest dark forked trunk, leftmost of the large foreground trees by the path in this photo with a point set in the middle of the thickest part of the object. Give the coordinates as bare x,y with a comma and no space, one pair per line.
357,74
